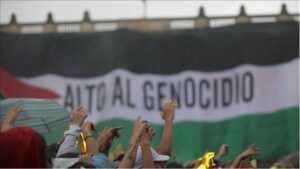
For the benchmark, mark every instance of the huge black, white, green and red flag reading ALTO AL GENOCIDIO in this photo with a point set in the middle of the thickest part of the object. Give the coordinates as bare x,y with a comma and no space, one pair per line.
236,85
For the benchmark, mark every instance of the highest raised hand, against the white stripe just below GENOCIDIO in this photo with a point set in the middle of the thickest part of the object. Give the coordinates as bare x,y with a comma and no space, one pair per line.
168,112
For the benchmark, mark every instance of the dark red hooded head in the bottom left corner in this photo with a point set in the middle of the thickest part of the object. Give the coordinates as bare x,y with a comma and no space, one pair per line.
22,147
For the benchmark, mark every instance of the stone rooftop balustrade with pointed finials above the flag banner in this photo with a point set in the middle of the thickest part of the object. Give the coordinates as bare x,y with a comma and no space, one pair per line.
144,25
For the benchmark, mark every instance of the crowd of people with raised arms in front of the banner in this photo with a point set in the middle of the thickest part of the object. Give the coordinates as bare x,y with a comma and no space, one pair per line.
22,147
